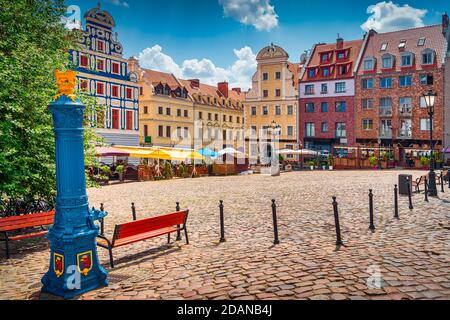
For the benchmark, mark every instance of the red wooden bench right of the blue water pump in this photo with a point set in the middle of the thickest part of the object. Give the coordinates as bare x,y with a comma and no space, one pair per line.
141,230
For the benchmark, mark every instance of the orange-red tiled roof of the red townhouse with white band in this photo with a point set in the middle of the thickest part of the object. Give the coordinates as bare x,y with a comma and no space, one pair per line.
315,60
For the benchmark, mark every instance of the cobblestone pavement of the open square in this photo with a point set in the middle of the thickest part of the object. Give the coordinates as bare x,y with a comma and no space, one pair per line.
411,255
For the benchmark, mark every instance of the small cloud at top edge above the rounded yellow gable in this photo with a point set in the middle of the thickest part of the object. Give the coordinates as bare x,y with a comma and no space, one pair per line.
258,13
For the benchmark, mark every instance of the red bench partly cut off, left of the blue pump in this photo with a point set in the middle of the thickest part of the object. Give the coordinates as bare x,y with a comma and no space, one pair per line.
16,223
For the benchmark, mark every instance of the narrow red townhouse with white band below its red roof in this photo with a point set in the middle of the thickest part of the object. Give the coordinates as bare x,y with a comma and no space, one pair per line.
326,95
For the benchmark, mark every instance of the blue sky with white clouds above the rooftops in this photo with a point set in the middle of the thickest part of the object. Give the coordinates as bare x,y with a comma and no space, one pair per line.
216,40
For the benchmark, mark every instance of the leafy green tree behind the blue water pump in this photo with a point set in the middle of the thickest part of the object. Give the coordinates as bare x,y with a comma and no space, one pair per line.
33,44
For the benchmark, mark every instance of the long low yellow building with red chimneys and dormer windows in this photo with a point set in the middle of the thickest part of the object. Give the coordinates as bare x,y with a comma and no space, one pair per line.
182,113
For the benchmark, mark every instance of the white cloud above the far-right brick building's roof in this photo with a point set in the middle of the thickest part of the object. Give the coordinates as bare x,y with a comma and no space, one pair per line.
388,16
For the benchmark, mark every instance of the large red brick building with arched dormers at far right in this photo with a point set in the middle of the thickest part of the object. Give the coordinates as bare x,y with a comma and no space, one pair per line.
395,70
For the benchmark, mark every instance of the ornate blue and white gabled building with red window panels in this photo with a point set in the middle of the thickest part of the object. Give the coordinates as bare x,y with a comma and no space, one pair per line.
103,73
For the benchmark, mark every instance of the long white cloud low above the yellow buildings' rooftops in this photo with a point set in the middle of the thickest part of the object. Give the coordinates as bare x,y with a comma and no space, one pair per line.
239,74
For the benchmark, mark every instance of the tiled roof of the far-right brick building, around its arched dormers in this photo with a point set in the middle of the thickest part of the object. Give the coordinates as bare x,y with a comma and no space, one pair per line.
434,40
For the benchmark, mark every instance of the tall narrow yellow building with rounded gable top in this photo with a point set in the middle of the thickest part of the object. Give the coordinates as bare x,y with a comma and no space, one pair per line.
272,101
